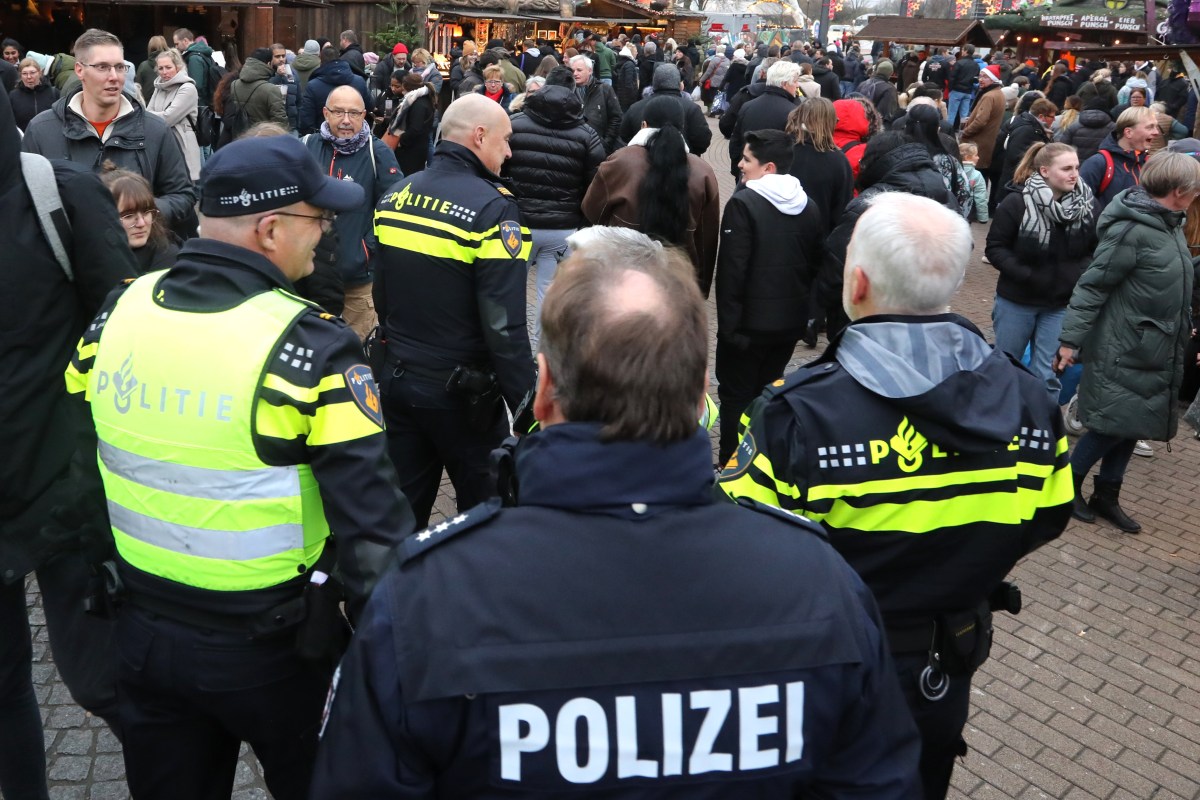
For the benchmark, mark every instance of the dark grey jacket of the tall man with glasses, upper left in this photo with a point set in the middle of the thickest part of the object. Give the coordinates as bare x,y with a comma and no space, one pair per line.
136,141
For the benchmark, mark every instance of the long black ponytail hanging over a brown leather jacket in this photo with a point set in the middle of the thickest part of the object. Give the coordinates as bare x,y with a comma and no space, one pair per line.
663,206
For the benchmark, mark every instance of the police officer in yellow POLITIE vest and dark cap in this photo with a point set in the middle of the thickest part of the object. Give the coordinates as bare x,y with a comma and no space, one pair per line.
241,443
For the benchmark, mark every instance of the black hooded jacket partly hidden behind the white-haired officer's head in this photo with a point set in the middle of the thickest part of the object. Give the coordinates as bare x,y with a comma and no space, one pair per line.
908,169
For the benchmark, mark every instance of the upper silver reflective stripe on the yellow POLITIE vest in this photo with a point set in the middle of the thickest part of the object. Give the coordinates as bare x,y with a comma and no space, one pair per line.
230,485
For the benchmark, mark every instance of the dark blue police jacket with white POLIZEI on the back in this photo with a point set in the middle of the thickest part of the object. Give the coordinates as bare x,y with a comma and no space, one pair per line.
619,636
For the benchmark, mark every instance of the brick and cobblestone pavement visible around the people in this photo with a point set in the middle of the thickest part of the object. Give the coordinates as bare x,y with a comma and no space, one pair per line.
1091,693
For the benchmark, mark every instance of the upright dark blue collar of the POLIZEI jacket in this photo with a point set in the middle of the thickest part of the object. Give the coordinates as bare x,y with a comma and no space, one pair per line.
568,467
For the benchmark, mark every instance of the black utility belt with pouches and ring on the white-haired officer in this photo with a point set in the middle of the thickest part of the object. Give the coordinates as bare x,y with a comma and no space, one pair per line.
957,643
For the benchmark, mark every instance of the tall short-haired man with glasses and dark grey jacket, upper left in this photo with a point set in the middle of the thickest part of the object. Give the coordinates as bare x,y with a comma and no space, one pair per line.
101,123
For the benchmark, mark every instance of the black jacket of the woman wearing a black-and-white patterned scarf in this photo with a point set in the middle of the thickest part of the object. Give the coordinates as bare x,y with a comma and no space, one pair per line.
1031,275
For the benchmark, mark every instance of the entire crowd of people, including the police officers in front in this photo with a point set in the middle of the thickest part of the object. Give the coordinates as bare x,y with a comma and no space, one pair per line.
321,264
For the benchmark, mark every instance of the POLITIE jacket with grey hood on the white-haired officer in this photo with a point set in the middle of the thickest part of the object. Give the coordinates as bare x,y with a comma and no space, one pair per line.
956,461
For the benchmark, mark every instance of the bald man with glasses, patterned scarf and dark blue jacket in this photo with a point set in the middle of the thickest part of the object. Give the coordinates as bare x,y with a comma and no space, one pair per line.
346,149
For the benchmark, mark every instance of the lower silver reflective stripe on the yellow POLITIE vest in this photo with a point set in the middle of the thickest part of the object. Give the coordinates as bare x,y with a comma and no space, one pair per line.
225,545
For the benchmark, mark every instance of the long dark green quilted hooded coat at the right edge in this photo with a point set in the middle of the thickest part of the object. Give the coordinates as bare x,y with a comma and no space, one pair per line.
1130,317
